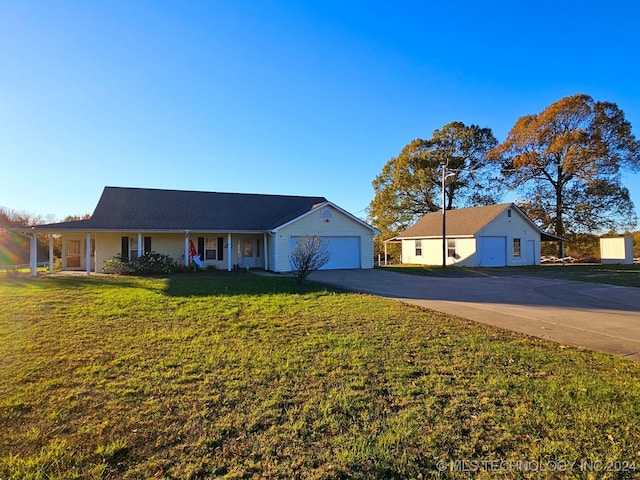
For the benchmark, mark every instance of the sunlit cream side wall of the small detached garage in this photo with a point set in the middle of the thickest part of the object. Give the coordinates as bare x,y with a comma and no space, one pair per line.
432,252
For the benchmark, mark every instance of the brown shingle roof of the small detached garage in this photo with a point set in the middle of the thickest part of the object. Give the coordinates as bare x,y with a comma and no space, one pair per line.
465,222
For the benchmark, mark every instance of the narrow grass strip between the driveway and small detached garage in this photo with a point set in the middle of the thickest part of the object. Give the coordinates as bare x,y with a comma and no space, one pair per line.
622,275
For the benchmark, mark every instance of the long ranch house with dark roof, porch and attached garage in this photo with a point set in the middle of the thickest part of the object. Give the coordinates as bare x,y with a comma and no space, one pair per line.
227,229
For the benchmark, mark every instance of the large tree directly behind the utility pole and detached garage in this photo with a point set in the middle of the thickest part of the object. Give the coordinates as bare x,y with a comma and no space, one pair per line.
410,184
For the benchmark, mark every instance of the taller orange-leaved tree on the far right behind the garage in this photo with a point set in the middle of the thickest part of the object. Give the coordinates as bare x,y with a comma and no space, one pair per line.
567,163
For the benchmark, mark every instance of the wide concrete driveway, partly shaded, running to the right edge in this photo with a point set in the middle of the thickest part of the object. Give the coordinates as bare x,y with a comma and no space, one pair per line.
590,315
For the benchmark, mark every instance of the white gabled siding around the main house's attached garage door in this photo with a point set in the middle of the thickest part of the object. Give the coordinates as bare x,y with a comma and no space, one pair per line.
339,225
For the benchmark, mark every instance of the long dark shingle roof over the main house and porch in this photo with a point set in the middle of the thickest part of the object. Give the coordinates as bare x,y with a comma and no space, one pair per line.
136,209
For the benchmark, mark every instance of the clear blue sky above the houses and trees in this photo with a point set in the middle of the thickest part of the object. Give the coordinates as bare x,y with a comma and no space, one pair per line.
283,97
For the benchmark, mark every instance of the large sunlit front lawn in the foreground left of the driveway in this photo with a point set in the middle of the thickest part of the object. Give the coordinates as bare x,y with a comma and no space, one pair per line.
231,375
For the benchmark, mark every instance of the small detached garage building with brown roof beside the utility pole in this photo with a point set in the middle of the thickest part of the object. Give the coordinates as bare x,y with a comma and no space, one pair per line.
491,236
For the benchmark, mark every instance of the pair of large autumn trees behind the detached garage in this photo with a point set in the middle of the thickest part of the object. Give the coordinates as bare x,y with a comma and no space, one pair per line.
565,164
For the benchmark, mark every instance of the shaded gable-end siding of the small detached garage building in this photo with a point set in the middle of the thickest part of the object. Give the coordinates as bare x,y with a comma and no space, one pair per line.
514,227
